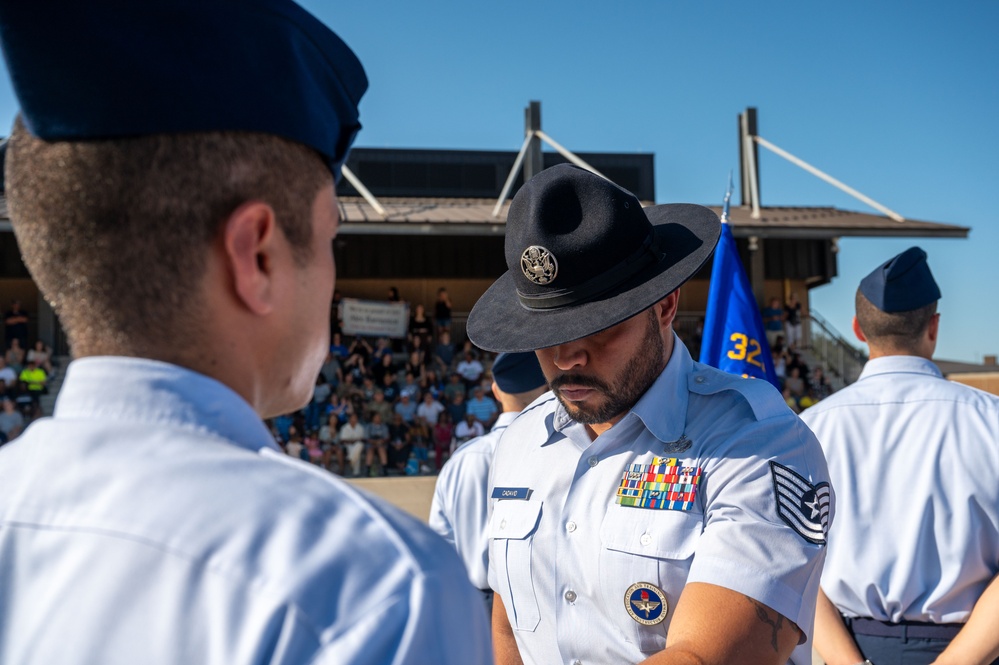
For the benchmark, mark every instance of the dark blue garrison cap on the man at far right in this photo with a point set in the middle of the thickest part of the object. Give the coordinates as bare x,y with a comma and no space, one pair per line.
902,283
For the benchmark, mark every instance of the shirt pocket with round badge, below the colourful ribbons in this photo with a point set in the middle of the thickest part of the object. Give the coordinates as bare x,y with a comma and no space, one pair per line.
651,546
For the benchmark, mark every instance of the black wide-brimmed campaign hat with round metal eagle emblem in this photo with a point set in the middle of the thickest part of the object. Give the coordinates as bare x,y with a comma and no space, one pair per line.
583,255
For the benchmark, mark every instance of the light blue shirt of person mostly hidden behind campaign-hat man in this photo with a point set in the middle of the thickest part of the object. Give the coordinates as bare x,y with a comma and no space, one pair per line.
460,505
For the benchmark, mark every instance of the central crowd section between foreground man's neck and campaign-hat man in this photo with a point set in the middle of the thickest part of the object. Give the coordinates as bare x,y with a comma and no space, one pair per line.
392,406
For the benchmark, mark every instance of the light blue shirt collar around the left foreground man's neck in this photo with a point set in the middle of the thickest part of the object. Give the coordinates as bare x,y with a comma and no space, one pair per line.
150,391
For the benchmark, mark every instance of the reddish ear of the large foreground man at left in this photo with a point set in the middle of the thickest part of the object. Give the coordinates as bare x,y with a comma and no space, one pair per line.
248,240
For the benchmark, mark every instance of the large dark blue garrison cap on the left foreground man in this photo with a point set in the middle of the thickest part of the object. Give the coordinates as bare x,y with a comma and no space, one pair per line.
100,69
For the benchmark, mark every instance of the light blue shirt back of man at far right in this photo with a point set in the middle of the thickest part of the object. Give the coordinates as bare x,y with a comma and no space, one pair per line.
914,459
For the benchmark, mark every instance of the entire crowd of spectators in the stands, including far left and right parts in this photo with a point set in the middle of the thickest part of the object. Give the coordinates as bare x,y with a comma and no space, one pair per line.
380,406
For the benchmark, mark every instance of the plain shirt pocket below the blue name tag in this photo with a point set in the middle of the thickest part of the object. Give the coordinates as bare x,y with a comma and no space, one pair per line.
511,529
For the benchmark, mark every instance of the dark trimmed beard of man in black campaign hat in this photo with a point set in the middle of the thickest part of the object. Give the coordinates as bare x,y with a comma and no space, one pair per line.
625,389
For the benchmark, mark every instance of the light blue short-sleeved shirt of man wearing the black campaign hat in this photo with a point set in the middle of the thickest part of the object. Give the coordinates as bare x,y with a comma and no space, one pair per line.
564,559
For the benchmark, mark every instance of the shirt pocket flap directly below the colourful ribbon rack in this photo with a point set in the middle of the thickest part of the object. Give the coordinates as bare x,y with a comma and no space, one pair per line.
664,534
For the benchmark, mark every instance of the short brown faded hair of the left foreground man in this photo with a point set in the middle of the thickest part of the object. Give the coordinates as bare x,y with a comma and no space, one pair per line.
116,233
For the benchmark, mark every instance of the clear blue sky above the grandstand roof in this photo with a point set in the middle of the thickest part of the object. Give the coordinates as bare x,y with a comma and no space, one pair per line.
898,100
